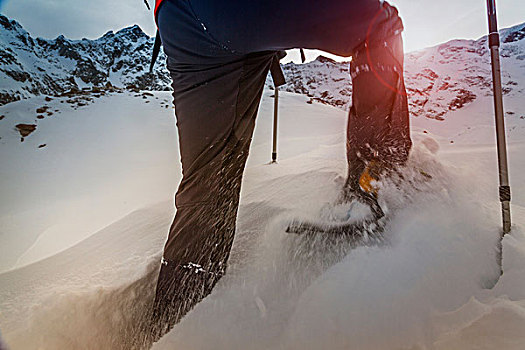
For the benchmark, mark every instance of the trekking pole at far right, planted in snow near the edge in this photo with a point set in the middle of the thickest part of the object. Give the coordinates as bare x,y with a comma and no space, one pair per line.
504,188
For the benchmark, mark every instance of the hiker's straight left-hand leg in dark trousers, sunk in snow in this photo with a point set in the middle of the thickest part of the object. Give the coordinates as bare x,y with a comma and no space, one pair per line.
216,96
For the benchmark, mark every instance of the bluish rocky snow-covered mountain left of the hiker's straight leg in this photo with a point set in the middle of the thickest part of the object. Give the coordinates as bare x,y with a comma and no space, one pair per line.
31,67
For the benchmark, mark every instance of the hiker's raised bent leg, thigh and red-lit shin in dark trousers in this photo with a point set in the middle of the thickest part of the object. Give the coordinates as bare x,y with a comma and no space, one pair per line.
367,30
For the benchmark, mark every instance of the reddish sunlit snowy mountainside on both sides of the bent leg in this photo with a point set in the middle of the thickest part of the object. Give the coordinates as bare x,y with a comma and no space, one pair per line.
439,79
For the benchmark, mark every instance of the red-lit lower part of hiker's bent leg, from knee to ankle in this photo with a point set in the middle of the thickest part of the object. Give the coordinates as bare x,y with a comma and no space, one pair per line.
378,123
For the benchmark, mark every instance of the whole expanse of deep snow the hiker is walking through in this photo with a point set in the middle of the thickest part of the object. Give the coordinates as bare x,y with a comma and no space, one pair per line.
95,203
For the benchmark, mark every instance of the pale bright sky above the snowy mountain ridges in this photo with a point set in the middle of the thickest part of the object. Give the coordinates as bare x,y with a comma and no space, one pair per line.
427,22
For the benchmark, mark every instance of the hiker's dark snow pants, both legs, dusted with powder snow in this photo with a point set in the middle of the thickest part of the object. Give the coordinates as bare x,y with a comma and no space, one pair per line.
219,53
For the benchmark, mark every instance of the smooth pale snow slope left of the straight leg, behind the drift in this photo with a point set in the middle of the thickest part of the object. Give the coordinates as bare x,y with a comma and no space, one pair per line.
114,155
